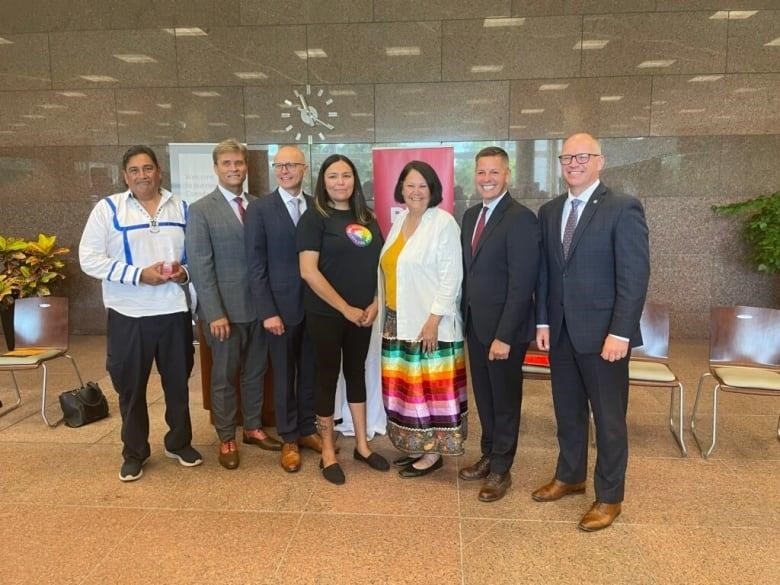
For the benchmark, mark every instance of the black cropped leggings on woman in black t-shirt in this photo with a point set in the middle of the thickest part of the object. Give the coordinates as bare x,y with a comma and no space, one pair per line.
334,337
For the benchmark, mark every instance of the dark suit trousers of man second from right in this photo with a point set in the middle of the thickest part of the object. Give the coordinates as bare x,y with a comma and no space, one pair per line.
498,392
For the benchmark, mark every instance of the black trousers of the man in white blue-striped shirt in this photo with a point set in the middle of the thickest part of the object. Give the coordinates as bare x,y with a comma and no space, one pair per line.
133,344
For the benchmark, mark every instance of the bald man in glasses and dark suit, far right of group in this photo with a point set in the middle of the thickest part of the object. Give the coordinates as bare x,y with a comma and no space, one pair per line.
592,285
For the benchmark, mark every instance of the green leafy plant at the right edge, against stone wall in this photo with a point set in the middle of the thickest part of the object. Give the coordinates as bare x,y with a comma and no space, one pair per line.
760,229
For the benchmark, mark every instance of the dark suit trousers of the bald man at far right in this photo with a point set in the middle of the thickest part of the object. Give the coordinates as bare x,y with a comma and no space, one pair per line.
578,379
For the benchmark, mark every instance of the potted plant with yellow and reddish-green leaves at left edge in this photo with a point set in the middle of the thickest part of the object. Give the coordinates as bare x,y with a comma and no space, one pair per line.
28,268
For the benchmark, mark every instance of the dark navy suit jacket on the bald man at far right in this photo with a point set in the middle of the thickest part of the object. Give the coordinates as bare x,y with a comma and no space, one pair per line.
601,287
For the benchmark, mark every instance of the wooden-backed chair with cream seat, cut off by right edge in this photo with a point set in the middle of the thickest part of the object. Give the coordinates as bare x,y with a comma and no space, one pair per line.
744,358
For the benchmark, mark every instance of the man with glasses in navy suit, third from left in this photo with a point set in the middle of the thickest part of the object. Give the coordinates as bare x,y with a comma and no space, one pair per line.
277,292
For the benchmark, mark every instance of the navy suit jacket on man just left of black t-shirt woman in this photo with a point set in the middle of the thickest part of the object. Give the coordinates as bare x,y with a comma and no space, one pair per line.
272,256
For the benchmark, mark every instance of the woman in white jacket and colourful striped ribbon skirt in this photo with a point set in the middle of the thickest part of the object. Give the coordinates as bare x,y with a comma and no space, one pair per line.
423,363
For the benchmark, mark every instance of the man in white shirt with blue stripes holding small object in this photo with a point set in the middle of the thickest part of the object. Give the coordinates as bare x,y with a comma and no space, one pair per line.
134,243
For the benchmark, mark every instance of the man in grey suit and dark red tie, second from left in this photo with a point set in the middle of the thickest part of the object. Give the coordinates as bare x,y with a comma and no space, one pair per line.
217,263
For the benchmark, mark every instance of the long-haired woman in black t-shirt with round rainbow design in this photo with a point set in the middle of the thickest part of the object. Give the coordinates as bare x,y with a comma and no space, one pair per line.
338,244
